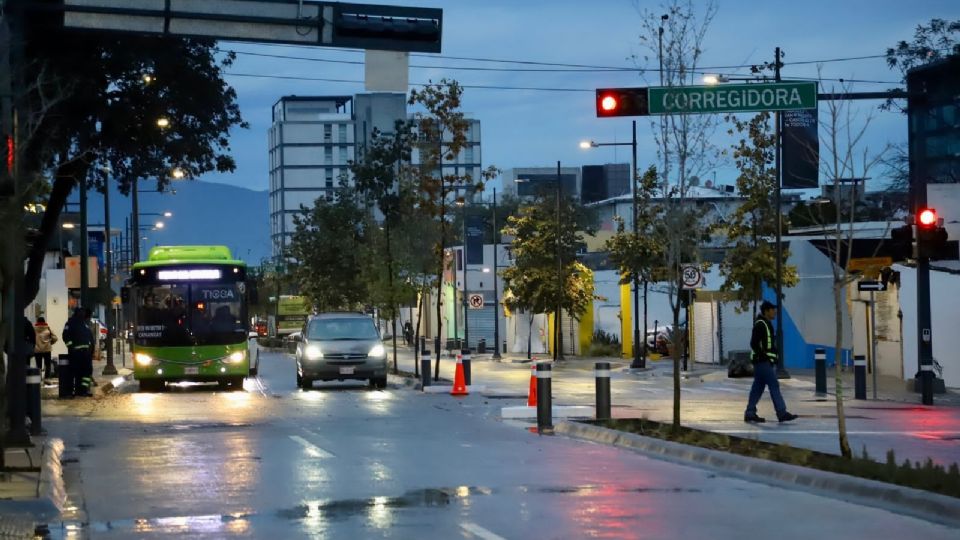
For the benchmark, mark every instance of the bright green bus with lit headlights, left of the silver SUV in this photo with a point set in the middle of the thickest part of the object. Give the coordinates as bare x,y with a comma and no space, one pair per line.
189,311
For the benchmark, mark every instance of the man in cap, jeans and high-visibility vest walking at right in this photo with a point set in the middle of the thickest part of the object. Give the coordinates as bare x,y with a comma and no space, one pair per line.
763,354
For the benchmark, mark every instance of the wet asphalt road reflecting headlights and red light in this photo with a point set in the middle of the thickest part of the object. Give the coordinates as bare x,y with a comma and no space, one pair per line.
344,461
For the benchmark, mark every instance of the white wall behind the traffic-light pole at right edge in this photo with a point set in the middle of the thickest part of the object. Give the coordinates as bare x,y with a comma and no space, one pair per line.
944,309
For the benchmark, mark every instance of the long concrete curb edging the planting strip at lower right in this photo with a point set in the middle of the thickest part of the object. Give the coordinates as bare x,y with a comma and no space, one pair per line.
898,499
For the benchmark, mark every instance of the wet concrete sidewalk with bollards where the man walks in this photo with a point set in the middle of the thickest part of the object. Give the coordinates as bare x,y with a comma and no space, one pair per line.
711,401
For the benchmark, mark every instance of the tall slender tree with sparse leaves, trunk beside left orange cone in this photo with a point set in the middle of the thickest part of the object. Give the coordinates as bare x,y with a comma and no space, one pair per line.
441,134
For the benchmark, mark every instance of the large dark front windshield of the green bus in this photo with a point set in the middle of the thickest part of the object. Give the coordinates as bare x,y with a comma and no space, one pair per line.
185,314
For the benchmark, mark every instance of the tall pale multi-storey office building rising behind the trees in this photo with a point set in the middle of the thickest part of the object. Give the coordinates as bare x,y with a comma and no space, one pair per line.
313,139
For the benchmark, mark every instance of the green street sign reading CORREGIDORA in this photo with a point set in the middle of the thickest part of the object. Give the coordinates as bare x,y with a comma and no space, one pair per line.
781,96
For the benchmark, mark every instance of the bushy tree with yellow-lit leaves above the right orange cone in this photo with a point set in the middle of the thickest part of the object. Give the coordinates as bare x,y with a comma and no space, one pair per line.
546,275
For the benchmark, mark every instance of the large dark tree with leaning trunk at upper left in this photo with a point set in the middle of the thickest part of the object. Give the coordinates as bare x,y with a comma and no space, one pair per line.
110,91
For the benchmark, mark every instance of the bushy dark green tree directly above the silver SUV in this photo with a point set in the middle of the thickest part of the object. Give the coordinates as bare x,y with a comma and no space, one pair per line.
327,244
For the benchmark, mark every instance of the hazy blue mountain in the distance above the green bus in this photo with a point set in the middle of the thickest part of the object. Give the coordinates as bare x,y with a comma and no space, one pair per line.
204,213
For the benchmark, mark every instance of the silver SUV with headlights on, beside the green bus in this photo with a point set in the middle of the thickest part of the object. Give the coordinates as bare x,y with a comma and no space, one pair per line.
341,346
